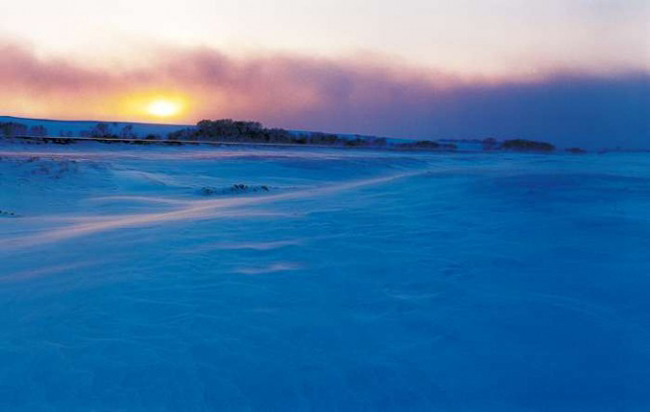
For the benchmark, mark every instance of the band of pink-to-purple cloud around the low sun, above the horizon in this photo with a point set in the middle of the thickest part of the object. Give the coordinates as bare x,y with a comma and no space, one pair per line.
341,96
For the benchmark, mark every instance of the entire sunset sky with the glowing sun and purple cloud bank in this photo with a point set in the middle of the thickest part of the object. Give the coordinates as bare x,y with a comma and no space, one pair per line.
572,71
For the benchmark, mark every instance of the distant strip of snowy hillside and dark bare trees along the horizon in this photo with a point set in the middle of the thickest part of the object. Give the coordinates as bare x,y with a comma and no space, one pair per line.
228,132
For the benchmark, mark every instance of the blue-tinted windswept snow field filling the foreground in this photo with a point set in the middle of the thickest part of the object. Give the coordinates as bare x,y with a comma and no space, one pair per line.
140,279
